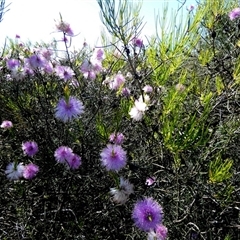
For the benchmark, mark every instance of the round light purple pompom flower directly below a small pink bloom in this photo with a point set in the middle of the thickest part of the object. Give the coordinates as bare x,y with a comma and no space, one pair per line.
113,157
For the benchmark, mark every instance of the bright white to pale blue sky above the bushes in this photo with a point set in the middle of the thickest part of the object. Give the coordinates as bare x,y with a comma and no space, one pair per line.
34,19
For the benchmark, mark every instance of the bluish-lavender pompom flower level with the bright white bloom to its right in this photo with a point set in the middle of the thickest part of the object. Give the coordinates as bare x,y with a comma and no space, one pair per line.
68,110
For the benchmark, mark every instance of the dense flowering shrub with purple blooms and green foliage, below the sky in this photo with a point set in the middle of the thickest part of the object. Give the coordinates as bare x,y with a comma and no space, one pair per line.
137,139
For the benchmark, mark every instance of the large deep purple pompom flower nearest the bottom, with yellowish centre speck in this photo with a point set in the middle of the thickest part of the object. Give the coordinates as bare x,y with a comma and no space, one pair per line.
147,214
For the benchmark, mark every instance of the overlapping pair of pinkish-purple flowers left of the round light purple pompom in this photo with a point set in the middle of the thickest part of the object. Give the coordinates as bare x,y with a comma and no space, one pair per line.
66,156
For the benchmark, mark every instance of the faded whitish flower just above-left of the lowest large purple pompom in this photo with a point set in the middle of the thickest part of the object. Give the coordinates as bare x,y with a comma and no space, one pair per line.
121,195
